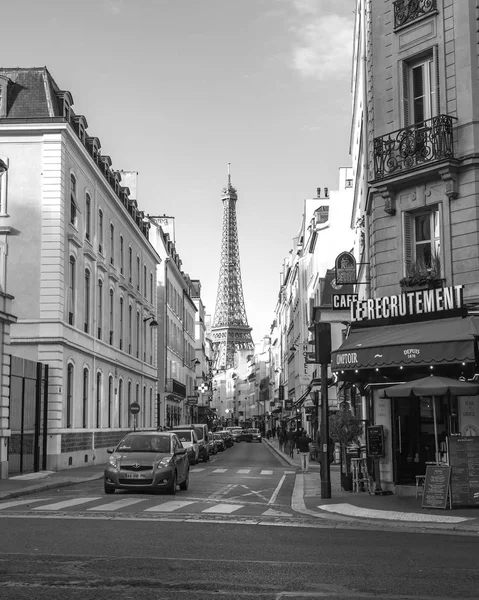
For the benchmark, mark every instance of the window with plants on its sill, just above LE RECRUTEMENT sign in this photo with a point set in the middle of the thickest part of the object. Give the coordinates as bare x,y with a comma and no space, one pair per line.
422,241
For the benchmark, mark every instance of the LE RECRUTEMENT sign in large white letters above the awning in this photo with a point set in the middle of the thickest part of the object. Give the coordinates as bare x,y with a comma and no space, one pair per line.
410,306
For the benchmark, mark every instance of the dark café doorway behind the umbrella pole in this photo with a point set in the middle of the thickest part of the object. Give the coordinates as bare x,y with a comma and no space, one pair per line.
413,435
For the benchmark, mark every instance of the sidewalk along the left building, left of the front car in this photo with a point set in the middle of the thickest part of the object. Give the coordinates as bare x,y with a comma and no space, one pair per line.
31,483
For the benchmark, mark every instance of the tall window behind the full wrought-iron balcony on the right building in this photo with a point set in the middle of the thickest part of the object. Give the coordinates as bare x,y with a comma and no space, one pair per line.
420,89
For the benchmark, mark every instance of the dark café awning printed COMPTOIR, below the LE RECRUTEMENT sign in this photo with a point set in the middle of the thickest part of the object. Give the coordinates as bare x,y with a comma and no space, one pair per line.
444,341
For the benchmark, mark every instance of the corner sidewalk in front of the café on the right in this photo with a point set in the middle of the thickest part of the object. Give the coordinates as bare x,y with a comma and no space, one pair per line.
395,511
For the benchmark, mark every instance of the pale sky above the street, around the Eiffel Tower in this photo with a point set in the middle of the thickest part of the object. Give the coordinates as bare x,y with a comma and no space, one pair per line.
177,89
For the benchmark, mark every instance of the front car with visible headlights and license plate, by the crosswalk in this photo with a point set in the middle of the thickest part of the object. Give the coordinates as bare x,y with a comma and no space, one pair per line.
148,461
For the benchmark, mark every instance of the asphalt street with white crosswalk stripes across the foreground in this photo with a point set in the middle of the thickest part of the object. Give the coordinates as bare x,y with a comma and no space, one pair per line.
76,541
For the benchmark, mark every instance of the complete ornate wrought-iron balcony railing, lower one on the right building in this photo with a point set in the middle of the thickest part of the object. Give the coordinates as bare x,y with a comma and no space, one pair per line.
413,146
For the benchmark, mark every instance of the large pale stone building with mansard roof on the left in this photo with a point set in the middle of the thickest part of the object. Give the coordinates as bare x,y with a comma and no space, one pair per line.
77,260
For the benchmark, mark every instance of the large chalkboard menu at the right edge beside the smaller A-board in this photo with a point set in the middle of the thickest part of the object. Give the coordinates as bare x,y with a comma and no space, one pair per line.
464,460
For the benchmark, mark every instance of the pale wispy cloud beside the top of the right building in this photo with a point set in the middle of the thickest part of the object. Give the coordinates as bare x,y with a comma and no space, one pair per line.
323,43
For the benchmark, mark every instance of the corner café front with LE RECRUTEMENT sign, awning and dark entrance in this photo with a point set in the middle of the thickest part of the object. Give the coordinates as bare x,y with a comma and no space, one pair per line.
401,338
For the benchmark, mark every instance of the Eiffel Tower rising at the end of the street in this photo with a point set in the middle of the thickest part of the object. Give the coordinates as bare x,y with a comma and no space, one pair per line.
230,331
